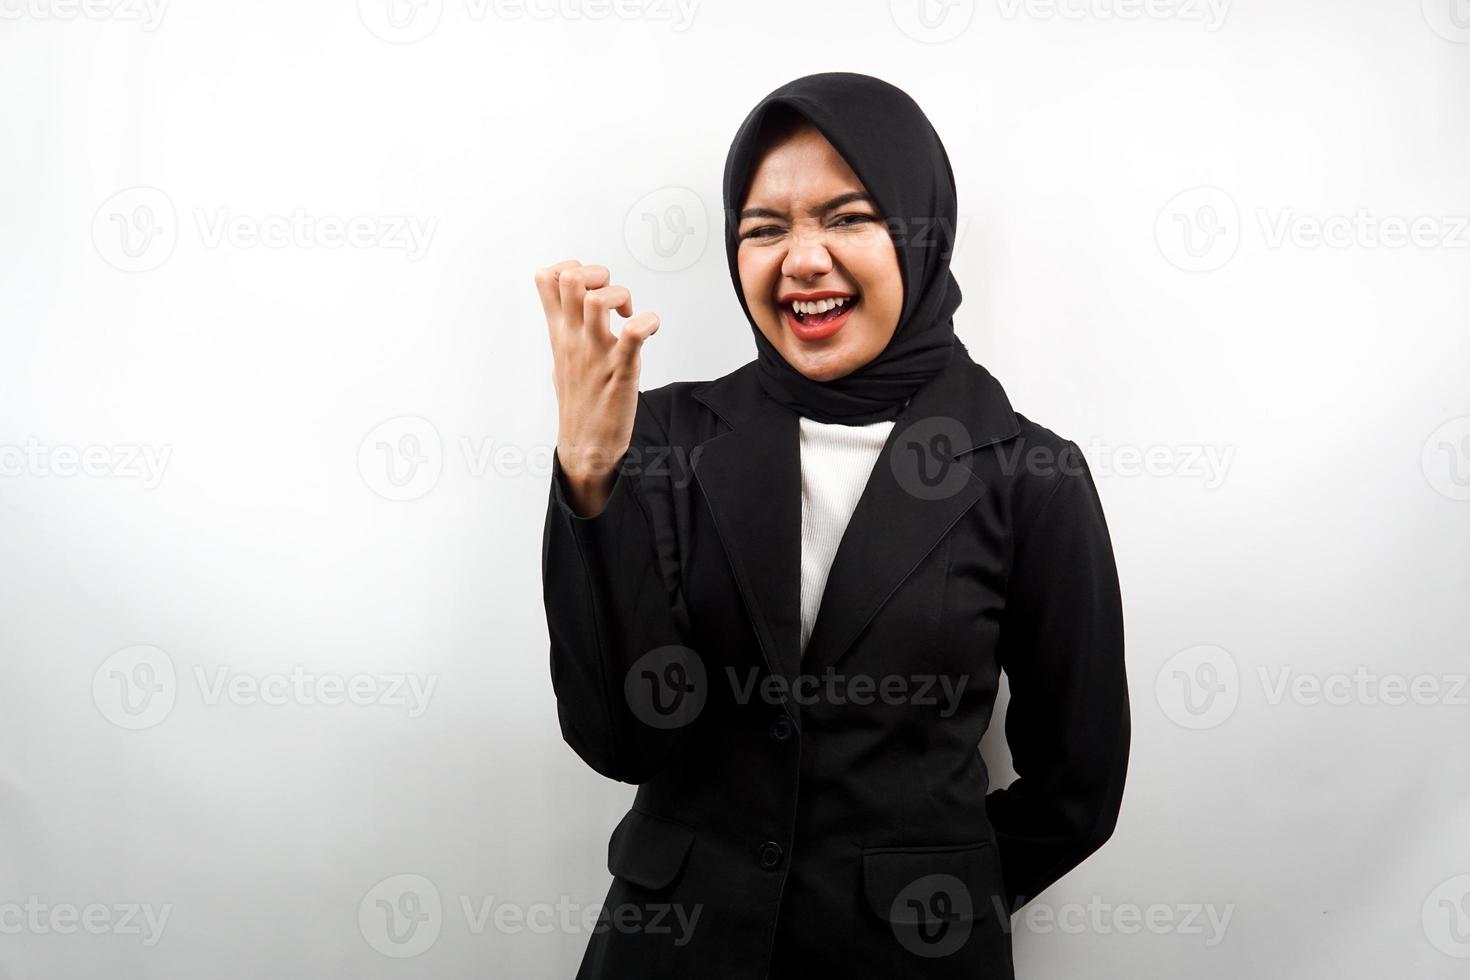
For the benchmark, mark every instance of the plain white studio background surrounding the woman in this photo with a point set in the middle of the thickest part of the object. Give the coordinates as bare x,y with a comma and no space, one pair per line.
1183,246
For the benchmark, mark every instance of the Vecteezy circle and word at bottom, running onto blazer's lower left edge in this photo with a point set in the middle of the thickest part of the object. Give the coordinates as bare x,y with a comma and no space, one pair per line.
404,916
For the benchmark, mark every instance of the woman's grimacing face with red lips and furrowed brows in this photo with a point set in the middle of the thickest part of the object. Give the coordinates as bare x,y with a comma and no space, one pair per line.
808,233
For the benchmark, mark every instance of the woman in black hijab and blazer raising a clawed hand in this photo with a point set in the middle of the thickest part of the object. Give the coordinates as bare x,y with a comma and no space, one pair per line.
781,602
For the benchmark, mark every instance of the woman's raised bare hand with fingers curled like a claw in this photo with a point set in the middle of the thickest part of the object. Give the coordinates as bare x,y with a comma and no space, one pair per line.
596,375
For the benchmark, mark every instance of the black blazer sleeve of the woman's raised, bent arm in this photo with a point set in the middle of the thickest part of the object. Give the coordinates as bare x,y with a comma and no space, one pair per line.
609,586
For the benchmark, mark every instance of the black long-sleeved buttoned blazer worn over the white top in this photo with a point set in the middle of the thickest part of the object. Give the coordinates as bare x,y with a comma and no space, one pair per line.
828,813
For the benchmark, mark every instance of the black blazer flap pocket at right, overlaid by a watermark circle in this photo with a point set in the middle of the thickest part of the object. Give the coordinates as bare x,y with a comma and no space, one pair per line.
925,887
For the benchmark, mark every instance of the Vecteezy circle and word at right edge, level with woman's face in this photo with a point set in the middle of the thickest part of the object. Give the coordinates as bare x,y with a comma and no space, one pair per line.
1200,230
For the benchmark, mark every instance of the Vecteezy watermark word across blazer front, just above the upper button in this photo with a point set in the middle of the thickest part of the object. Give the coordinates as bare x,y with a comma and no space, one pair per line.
833,688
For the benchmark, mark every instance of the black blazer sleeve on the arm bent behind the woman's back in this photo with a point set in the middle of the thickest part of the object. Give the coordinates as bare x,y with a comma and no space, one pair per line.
1068,722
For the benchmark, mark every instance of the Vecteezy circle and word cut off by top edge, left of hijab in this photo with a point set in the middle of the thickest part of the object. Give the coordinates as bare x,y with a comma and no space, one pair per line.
409,21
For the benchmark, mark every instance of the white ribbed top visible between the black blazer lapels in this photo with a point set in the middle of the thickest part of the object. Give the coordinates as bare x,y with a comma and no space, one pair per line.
836,465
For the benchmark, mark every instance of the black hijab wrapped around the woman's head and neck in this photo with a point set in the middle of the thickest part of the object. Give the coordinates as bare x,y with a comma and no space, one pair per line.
893,149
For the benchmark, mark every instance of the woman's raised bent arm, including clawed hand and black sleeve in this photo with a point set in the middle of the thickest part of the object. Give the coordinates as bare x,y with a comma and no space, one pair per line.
609,606
